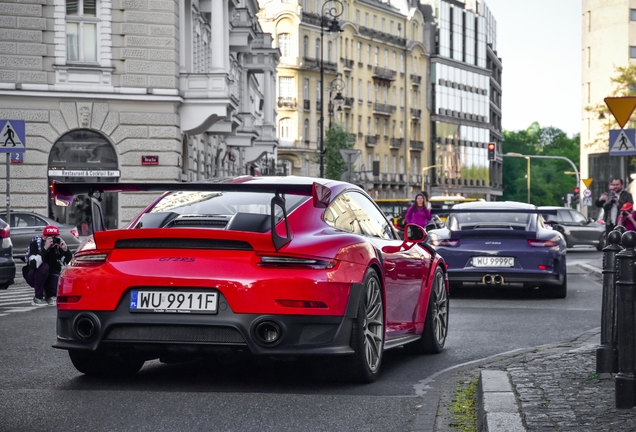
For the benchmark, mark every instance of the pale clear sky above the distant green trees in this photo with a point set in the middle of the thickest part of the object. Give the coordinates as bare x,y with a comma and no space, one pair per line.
539,43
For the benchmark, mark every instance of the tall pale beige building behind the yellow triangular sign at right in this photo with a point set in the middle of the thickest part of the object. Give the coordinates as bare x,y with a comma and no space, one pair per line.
608,41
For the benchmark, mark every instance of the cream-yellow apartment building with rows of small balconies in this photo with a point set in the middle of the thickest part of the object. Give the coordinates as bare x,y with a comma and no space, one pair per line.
379,64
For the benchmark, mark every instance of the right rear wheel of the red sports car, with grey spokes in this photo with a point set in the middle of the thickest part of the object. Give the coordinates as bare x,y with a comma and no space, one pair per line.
367,338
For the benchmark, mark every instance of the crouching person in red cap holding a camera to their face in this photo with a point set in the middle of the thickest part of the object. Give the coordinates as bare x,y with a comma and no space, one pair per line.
44,260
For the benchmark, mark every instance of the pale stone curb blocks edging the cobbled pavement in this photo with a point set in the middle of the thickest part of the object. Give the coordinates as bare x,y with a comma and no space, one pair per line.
497,404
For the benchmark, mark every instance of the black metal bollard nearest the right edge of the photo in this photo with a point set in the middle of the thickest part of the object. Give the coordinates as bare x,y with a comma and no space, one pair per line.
625,390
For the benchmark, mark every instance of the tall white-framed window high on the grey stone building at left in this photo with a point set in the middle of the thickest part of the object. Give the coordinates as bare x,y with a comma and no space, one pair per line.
81,31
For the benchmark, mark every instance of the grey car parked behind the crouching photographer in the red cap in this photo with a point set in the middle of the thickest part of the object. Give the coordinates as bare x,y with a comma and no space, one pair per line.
26,225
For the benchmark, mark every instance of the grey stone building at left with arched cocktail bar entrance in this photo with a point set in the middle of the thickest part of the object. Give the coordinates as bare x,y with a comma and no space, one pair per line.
134,90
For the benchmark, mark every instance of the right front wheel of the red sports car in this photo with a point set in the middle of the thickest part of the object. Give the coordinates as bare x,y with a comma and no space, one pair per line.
436,324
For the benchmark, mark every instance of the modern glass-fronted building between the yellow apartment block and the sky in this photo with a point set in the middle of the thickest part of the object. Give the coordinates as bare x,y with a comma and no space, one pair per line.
466,89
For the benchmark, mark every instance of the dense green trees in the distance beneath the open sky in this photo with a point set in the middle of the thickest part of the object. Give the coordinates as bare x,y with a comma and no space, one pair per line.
548,181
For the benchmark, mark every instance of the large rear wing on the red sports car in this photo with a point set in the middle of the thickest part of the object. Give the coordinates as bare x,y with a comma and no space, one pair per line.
63,193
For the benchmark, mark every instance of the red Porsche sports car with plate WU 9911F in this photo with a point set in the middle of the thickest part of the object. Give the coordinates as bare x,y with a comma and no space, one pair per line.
276,266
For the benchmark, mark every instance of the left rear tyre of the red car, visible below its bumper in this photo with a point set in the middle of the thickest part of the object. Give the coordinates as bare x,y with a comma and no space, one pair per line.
100,364
